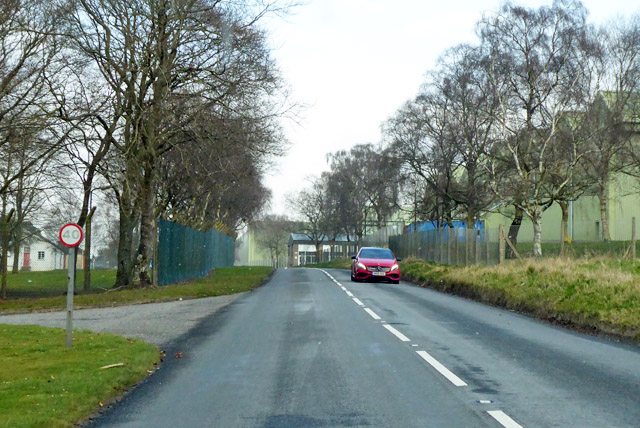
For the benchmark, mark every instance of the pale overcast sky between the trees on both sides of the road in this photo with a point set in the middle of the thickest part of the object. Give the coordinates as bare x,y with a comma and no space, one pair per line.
355,62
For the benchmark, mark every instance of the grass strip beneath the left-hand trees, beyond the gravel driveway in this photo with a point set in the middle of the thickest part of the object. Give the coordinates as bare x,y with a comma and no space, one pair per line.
222,281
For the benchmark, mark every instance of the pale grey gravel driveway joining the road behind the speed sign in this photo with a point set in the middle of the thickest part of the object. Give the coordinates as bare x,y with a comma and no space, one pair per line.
156,323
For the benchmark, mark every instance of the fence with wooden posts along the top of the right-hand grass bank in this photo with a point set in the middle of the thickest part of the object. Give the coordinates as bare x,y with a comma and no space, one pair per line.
490,246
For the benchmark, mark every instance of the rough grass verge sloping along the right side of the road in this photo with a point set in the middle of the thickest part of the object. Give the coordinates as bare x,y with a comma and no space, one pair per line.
599,295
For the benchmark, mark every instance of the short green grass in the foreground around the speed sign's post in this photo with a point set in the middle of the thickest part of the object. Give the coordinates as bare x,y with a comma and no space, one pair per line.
44,384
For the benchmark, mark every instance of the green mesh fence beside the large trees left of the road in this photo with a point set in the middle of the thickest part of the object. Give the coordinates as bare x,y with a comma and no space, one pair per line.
185,253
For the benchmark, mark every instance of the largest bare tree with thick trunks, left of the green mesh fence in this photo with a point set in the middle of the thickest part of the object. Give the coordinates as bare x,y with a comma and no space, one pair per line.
164,62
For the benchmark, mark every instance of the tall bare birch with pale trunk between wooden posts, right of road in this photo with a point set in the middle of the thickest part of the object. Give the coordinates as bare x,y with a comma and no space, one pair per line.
535,68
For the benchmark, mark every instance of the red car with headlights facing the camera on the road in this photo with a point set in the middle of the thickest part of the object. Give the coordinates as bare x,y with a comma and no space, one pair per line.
373,263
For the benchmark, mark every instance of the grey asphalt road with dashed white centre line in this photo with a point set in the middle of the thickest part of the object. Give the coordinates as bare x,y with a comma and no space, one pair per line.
312,349
